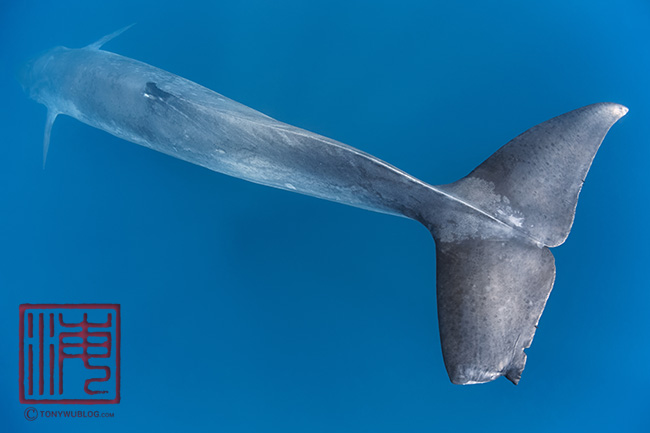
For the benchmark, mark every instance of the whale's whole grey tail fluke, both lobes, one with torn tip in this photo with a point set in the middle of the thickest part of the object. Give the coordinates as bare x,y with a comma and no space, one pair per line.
494,269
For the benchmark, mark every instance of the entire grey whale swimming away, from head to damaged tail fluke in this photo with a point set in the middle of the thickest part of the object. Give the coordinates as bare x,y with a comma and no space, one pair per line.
492,229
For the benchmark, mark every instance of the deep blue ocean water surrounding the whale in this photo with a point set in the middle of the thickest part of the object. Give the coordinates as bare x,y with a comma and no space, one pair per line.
248,309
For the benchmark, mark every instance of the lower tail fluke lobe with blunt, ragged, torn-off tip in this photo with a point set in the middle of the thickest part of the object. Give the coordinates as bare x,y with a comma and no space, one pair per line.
491,294
